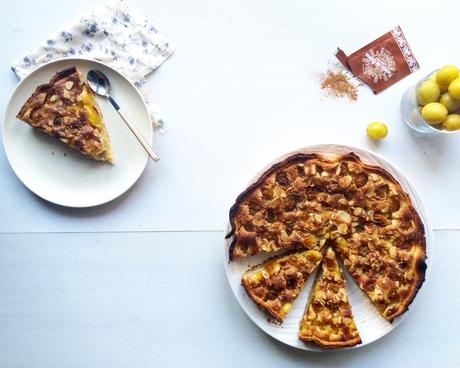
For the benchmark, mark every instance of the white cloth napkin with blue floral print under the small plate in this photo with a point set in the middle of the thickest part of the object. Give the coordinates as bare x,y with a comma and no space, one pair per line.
118,36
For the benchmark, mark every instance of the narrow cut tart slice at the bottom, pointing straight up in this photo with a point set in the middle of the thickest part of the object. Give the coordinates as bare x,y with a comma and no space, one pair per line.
328,320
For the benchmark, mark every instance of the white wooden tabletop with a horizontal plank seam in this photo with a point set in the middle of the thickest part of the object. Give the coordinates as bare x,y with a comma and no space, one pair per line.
82,288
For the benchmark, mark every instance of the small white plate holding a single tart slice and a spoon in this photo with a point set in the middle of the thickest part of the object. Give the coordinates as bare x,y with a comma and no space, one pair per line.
62,175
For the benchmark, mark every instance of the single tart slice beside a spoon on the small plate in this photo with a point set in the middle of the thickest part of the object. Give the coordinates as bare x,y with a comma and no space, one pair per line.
65,108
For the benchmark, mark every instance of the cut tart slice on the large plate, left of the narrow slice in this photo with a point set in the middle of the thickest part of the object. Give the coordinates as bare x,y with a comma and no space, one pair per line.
275,284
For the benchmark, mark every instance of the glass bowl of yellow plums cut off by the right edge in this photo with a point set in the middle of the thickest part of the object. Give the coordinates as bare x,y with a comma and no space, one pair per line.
432,106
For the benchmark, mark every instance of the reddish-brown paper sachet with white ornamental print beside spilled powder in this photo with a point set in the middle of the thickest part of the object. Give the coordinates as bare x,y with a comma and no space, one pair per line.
383,62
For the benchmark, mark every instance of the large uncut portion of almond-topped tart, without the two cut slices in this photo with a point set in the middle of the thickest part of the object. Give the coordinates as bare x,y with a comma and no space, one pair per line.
310,201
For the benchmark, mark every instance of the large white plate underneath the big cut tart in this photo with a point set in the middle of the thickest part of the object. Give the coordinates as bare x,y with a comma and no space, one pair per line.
370,324
